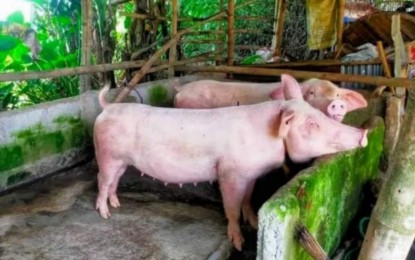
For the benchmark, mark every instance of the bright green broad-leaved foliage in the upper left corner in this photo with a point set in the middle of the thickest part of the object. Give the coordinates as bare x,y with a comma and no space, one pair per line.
57,26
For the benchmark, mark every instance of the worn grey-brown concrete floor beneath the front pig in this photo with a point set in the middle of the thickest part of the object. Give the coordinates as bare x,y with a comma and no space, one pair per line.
56,219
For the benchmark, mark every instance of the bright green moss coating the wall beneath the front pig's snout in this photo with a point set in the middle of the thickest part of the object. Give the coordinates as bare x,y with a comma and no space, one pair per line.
326,197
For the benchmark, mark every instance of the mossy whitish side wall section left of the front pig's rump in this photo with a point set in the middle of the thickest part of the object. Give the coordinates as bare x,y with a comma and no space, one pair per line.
41,139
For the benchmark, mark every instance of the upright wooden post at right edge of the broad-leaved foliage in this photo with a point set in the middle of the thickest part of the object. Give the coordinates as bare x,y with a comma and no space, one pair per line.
86,9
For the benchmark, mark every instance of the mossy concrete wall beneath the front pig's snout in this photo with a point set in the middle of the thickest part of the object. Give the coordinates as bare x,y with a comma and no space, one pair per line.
324,197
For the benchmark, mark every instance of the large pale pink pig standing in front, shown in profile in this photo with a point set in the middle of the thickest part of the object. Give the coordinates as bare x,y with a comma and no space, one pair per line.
233,145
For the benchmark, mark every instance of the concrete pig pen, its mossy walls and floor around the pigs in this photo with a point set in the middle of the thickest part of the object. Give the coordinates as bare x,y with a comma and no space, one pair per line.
48,188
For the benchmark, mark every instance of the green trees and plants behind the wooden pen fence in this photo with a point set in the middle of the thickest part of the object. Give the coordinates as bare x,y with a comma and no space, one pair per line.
57,24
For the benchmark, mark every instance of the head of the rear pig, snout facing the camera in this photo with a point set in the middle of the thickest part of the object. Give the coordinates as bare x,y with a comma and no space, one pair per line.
335,102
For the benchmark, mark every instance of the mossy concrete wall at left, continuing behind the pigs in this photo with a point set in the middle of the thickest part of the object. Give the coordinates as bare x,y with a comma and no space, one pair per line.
47,138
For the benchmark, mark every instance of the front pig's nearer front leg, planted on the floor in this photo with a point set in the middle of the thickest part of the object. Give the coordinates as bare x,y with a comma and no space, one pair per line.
232,195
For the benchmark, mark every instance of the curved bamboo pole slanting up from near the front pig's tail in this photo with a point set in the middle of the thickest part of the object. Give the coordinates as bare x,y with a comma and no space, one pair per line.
124,92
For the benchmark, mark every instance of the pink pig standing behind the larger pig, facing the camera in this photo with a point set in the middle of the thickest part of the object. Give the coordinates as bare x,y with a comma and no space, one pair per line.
335,102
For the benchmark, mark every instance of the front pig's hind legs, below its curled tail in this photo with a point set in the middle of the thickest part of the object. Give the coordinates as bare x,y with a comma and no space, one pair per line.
110,171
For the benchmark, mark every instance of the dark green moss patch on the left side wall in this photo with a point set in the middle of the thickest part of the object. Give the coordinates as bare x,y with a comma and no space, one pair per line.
38,142
